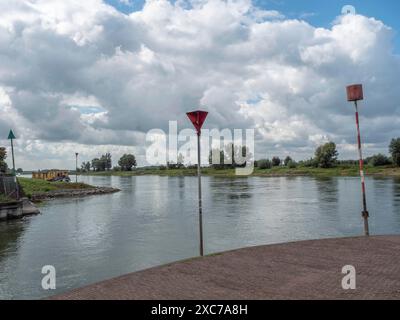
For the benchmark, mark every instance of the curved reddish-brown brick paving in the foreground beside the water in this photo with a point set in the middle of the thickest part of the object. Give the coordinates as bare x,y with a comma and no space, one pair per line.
299,270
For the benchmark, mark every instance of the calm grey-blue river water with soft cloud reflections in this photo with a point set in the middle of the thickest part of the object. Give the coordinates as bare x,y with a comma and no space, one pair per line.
153,220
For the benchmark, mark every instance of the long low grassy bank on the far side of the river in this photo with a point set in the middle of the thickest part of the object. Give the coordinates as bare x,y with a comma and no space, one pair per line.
339,171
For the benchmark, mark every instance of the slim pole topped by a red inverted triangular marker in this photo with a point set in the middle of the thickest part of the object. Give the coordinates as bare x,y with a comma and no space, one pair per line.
198,118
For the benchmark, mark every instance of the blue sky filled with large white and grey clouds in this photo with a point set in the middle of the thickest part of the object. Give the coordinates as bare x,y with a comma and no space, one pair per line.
95,76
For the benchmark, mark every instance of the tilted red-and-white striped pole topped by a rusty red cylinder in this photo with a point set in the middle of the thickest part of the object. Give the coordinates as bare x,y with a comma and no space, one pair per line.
355,93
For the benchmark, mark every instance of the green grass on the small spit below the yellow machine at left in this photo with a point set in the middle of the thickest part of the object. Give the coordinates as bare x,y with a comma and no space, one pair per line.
33,186
